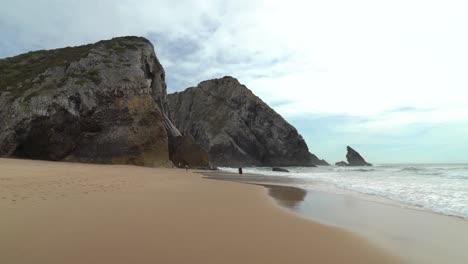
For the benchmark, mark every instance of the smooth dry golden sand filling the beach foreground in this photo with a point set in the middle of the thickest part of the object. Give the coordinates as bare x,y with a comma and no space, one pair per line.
53,212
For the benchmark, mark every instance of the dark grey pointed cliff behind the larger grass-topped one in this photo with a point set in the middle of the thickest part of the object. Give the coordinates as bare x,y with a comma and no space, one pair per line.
236,127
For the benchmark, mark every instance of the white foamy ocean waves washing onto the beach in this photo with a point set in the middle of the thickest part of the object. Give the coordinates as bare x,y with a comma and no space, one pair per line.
440,188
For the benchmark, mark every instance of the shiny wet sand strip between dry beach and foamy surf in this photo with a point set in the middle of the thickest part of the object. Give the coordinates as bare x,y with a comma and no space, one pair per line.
415,235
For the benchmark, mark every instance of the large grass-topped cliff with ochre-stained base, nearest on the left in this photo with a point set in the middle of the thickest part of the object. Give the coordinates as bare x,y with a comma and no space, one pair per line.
103,102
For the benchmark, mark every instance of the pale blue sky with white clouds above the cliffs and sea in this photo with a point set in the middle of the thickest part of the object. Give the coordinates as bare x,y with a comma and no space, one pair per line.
388,78
